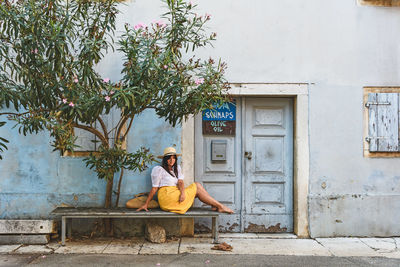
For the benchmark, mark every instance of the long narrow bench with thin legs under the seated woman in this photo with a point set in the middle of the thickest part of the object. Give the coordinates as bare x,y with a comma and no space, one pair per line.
70,213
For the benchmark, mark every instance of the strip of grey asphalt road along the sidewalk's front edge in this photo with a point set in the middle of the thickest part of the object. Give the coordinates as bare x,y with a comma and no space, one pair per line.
78,260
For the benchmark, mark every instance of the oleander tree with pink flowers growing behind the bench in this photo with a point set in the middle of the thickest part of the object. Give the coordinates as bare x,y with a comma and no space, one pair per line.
49,50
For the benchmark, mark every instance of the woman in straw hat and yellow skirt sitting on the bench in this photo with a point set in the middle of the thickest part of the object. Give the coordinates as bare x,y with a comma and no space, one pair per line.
167,179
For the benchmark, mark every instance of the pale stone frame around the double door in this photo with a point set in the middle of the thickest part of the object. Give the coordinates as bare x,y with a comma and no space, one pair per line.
300,94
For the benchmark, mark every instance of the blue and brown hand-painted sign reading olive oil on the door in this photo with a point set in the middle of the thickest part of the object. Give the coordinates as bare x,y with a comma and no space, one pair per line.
221,120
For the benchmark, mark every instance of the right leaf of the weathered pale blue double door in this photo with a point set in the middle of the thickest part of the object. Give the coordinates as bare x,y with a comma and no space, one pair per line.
268,174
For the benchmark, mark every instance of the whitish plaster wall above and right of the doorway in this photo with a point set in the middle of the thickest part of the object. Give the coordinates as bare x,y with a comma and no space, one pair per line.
339,47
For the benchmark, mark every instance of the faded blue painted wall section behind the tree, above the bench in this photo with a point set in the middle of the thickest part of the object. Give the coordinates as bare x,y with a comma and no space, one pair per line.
34,180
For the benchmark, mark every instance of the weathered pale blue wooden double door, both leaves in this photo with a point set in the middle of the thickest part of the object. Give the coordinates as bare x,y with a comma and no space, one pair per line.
257,178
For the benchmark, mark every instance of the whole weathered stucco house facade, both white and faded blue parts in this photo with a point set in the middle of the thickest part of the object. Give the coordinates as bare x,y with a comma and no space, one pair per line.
333,48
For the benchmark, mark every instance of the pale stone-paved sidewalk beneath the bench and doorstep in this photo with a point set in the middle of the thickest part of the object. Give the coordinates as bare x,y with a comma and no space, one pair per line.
243,244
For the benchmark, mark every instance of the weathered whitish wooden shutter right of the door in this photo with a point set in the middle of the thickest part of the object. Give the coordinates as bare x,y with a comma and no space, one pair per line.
383,122
